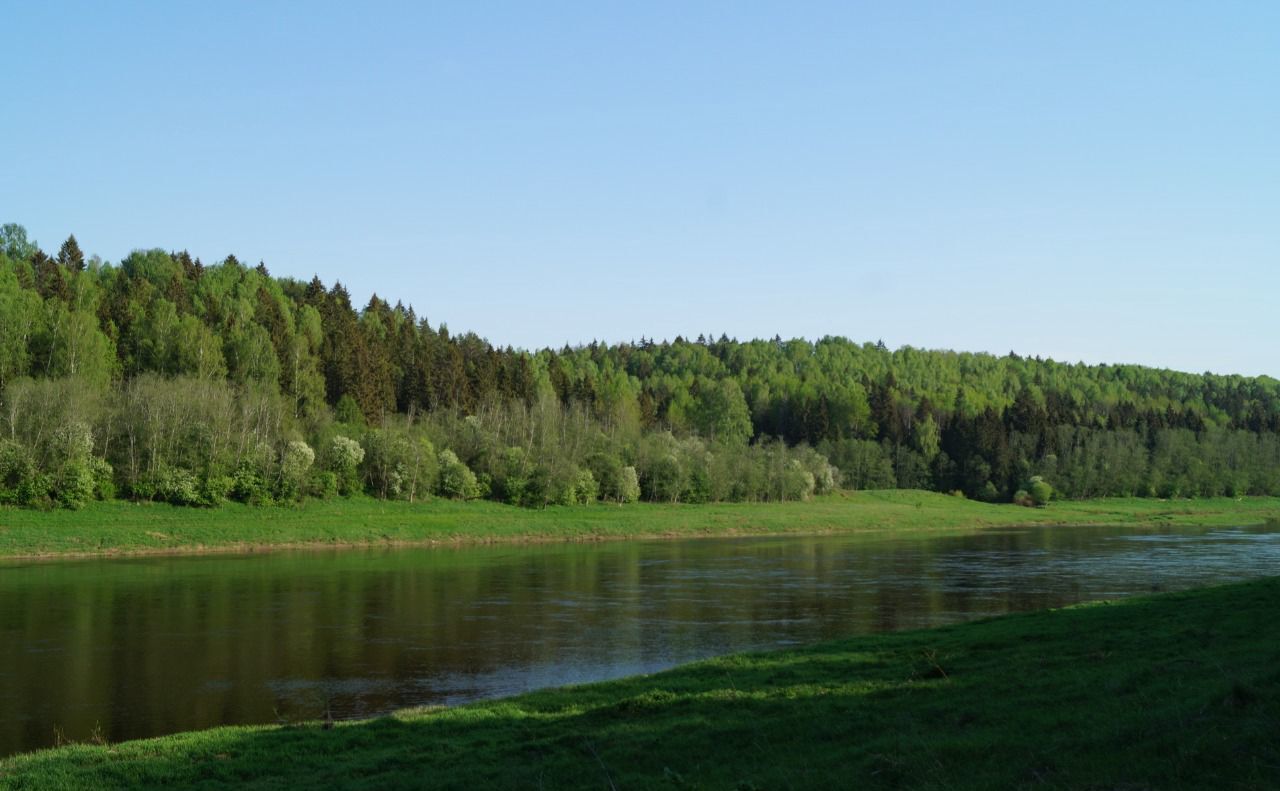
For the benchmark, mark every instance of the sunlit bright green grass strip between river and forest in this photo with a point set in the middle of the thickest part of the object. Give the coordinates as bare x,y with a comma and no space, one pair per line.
118,528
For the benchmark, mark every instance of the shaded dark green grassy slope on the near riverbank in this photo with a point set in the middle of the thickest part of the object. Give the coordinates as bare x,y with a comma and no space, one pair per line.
1171,692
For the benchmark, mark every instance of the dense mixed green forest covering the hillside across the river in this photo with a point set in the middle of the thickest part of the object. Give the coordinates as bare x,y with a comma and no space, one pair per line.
162,378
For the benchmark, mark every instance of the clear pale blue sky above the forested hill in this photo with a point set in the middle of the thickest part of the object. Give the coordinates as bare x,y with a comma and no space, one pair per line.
1081,181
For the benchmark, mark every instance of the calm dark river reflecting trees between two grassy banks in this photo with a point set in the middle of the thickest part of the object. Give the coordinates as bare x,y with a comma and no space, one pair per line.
130,648
